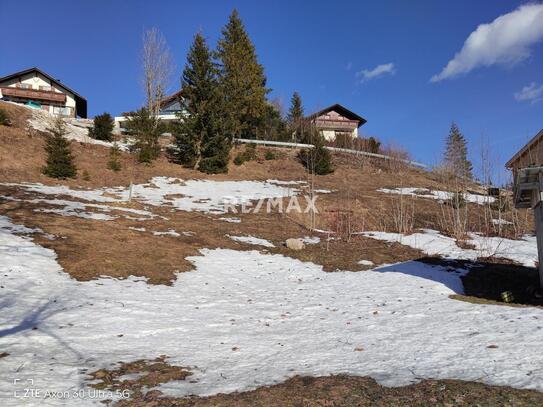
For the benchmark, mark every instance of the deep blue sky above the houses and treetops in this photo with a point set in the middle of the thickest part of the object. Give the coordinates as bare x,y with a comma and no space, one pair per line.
376,58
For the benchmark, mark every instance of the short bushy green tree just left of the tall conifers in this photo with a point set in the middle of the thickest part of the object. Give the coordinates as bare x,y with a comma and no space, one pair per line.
146,129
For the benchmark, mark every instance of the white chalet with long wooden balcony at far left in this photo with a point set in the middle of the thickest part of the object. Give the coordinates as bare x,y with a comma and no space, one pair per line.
37,89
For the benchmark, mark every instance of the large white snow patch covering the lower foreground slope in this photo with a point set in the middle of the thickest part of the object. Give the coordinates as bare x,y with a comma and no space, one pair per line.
243,319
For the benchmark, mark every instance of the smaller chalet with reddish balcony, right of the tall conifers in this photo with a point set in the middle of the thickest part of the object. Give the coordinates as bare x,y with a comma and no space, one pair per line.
336,121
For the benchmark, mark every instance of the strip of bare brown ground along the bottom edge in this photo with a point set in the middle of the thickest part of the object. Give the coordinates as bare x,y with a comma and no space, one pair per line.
335,391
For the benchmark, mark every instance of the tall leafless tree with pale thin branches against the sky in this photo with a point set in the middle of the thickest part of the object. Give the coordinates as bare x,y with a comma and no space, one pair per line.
158,68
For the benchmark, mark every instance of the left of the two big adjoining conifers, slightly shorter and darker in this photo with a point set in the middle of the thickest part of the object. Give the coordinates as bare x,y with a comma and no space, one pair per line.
200,140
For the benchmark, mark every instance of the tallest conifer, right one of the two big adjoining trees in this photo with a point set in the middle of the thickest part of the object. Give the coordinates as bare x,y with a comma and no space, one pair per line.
242,80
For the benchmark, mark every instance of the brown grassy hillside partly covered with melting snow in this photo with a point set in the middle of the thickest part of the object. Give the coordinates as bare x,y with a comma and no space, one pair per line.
121,282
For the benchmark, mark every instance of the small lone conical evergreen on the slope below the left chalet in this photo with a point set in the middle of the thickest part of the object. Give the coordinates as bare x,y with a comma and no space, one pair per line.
59,162
